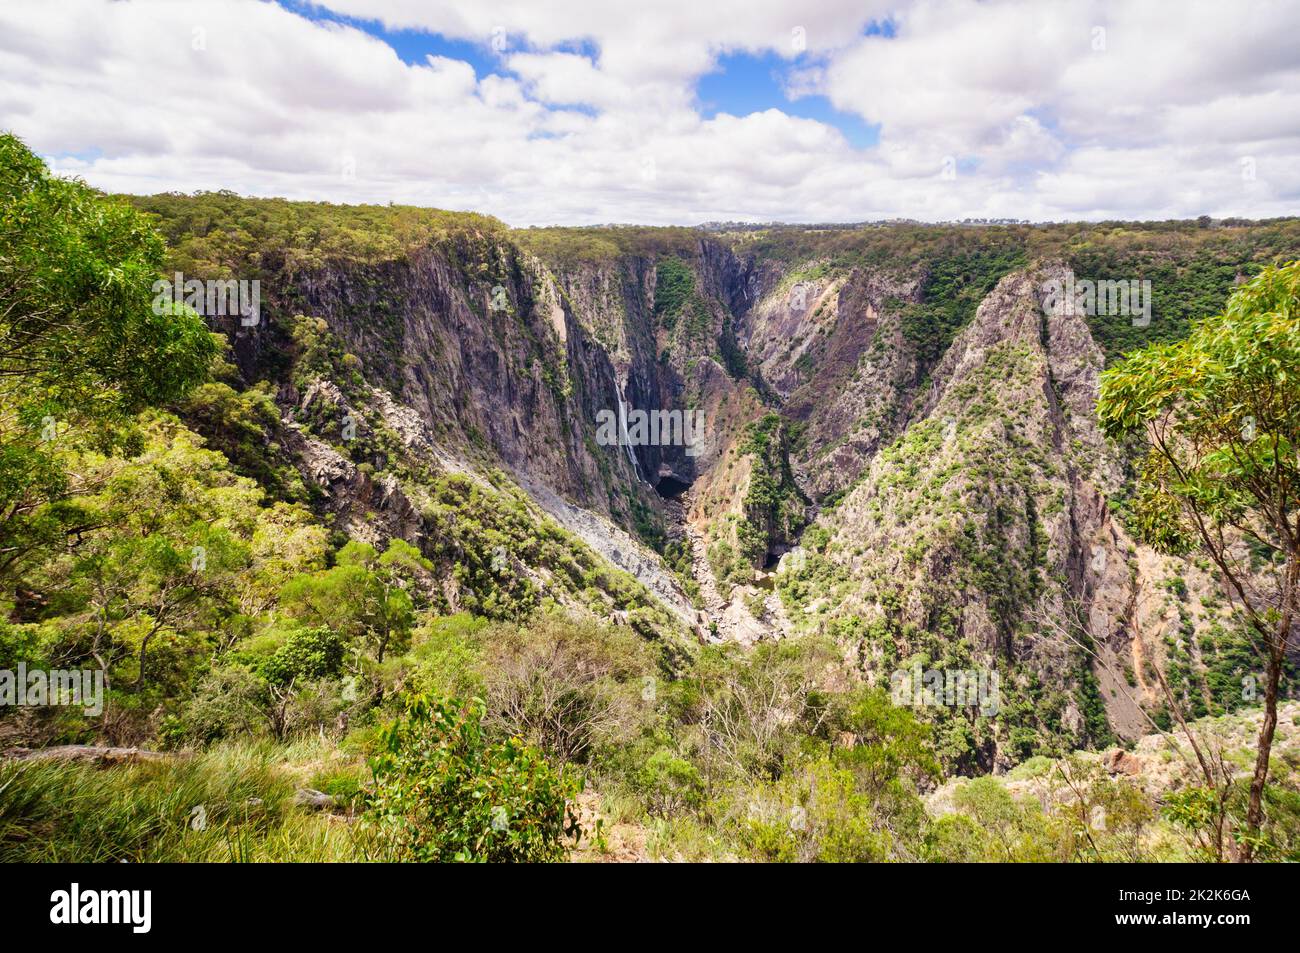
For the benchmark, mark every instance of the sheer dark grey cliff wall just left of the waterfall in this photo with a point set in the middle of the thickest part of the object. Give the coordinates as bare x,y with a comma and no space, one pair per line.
497,361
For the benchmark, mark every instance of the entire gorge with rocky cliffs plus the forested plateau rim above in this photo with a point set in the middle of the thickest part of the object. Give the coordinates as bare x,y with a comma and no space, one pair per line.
895,447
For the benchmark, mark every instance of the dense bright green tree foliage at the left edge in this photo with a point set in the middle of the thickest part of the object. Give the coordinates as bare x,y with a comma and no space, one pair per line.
83,346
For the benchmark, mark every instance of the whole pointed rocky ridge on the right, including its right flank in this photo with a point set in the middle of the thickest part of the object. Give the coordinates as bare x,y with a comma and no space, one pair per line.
983,539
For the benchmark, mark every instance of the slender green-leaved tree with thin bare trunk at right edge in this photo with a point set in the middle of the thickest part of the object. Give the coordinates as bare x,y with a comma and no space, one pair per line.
1220,413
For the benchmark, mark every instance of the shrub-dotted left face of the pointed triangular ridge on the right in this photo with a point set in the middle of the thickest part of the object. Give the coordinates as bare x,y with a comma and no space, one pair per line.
976,496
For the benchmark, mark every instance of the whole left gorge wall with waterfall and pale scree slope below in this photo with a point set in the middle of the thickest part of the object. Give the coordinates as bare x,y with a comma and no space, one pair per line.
489,361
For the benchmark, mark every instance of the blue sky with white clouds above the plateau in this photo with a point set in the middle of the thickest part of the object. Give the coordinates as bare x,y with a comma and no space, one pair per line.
571,112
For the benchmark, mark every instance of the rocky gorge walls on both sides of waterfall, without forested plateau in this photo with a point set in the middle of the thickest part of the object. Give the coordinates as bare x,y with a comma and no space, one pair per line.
946,508
